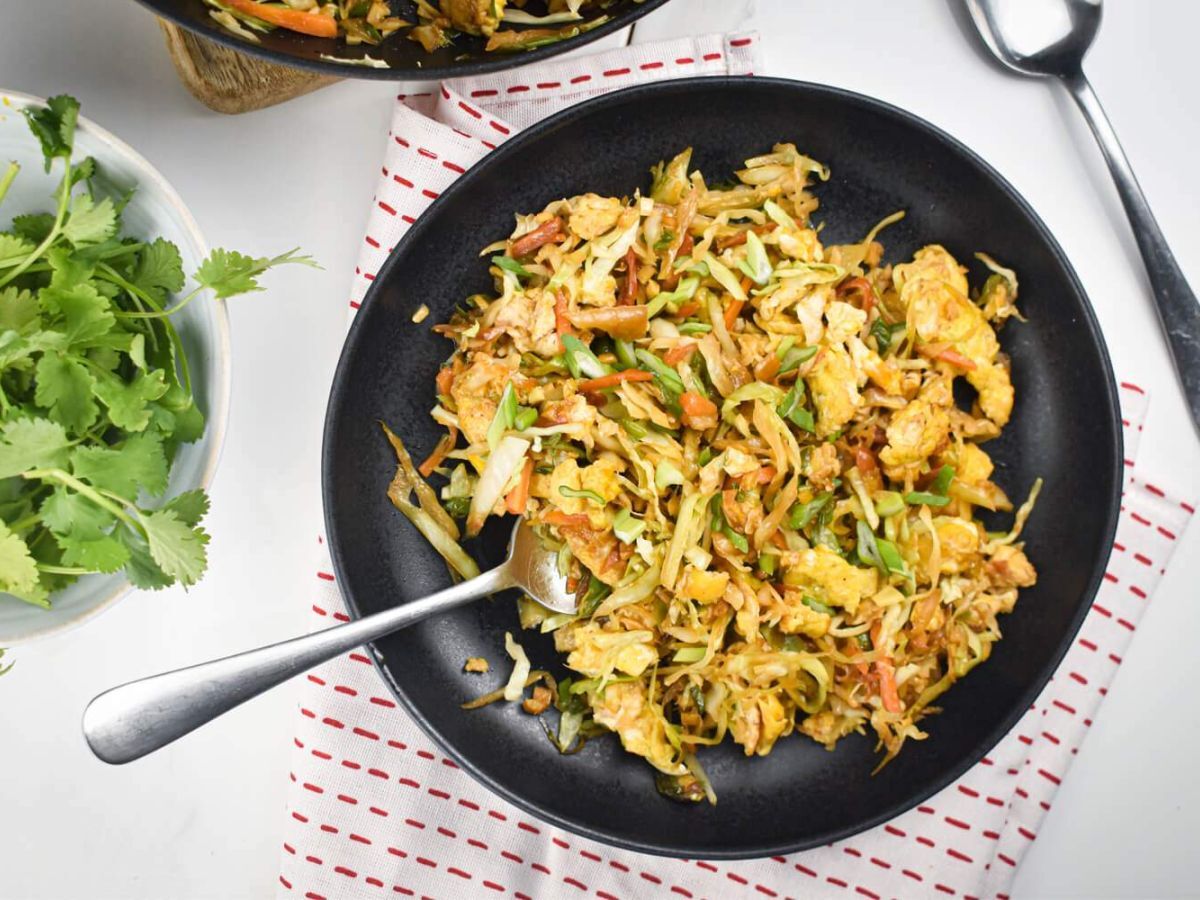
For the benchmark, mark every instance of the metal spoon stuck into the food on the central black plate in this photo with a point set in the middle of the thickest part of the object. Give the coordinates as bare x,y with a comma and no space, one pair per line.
135,719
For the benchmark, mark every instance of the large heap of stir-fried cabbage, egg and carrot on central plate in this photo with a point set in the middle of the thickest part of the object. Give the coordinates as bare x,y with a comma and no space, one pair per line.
746,446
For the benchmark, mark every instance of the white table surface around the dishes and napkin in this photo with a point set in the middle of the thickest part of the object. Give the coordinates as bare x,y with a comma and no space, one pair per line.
202,819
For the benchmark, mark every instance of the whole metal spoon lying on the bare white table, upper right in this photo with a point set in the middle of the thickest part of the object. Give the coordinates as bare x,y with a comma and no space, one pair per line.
1049,39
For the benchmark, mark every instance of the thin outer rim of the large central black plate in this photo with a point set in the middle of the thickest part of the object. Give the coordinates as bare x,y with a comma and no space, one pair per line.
358,333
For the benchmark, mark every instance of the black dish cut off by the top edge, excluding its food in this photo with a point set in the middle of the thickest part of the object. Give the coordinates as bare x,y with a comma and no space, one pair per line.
407,61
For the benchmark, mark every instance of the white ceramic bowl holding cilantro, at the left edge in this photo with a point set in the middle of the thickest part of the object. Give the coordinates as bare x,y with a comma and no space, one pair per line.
203,326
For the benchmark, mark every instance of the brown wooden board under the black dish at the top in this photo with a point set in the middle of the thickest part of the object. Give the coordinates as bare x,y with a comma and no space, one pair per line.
231,82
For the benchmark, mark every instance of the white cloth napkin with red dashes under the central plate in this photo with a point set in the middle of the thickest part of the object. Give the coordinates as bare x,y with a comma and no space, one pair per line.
376,811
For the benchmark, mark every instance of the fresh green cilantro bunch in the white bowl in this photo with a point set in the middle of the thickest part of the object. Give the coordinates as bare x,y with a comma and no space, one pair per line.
95,391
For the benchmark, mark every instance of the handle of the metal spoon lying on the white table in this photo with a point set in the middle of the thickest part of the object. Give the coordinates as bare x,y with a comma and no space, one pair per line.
1178,309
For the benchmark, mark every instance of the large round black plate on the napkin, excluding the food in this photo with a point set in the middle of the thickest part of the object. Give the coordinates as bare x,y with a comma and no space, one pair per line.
1066,429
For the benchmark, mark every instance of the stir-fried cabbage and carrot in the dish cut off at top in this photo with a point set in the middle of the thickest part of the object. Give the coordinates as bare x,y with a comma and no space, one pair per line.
437,23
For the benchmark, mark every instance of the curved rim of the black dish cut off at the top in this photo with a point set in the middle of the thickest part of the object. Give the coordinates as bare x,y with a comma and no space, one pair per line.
169,10
